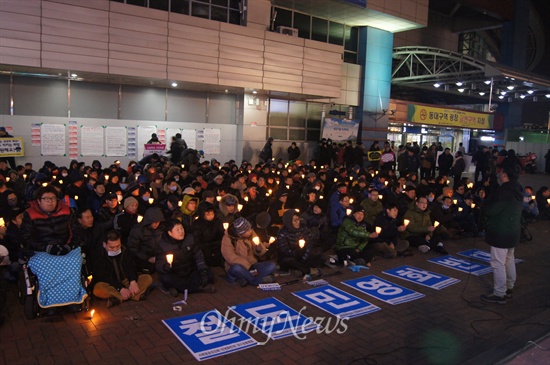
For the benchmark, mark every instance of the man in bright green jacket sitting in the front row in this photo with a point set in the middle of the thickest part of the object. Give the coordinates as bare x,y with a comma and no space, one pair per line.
354,242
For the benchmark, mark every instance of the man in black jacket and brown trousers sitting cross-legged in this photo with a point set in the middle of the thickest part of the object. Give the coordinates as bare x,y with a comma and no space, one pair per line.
115,275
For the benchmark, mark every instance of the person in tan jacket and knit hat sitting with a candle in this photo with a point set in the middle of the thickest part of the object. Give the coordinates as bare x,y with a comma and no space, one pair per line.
240,249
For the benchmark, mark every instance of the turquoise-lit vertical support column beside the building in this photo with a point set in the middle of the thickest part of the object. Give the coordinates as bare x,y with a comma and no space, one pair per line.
375,56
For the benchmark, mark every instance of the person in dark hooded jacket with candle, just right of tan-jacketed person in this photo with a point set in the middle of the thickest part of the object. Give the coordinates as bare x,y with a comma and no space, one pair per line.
296,246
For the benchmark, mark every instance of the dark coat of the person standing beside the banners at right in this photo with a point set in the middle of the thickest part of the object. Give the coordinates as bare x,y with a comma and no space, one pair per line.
504,216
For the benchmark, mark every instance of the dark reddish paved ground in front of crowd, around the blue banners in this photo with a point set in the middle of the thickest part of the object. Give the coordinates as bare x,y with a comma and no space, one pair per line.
449,326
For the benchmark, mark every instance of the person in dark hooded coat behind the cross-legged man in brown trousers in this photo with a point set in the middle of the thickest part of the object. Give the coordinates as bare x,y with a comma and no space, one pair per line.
144,238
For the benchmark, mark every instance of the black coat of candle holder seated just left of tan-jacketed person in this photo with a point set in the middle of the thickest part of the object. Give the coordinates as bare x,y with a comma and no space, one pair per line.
188,256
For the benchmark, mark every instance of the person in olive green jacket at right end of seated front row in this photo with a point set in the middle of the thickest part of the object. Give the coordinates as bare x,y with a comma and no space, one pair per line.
420,232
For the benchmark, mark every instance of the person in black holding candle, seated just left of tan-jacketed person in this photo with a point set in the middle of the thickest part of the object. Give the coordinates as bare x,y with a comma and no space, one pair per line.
180,262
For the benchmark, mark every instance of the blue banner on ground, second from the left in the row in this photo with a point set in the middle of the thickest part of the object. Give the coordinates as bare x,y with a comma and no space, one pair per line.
274,318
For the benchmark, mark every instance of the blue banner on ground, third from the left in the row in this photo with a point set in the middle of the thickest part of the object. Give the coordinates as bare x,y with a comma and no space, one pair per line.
336,302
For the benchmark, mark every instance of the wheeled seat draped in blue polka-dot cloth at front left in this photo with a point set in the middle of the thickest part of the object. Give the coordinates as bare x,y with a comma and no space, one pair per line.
47,281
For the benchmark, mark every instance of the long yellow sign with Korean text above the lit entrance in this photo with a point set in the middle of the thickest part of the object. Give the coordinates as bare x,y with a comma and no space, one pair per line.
448,117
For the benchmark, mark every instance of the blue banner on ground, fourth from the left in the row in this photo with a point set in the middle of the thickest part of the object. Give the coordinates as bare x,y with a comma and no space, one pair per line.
383,290
